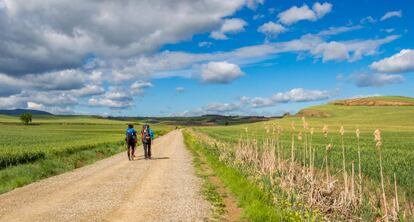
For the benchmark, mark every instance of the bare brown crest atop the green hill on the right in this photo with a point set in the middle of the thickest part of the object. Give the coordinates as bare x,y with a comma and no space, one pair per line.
377,101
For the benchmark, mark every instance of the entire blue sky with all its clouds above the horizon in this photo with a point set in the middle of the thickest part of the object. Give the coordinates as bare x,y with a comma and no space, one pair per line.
197,57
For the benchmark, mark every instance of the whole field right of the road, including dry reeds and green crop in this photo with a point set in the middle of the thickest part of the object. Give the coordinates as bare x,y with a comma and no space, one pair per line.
312,142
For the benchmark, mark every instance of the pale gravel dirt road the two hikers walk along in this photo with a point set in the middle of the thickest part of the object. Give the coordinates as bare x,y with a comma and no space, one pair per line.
114,189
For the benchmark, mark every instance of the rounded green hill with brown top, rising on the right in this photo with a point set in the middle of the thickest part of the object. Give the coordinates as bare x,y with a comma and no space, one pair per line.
365,112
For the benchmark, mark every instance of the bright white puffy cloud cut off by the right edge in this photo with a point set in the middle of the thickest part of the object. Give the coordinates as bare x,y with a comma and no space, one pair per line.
400,62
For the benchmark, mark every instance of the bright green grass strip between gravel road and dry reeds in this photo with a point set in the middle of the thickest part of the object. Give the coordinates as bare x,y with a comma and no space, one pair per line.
256,200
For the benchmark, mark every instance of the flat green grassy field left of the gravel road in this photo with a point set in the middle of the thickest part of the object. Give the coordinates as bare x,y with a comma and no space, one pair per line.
55,144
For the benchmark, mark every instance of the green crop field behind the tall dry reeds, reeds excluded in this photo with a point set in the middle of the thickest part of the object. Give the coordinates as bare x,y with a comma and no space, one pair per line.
395,123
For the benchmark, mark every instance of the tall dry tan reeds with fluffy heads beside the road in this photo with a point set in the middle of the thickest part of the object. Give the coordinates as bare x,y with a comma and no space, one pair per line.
318,188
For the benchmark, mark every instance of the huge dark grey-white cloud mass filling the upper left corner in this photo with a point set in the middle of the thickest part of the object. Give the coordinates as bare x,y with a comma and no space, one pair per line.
31,35
